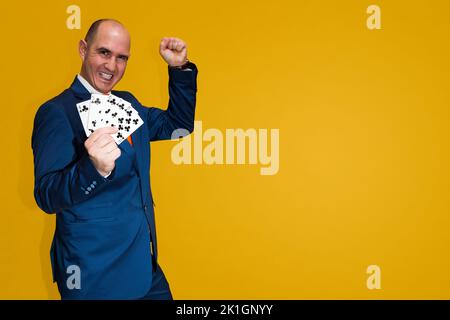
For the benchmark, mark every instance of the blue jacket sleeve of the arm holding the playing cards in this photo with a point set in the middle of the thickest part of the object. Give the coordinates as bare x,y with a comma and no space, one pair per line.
62,178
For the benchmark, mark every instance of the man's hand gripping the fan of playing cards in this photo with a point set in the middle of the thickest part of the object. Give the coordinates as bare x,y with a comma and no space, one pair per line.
103,150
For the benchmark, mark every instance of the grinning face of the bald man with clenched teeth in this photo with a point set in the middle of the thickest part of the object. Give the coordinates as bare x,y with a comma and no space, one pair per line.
105,57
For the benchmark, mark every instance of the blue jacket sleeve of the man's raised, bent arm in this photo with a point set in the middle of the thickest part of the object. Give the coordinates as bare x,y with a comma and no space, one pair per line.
181,109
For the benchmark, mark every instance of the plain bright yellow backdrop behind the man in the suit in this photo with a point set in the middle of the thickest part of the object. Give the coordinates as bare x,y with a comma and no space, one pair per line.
364,145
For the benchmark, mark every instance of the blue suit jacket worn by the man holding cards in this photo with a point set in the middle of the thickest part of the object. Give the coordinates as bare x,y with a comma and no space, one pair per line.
105,227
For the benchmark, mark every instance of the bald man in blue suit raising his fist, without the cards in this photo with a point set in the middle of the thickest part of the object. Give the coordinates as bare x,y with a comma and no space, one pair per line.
105,246
